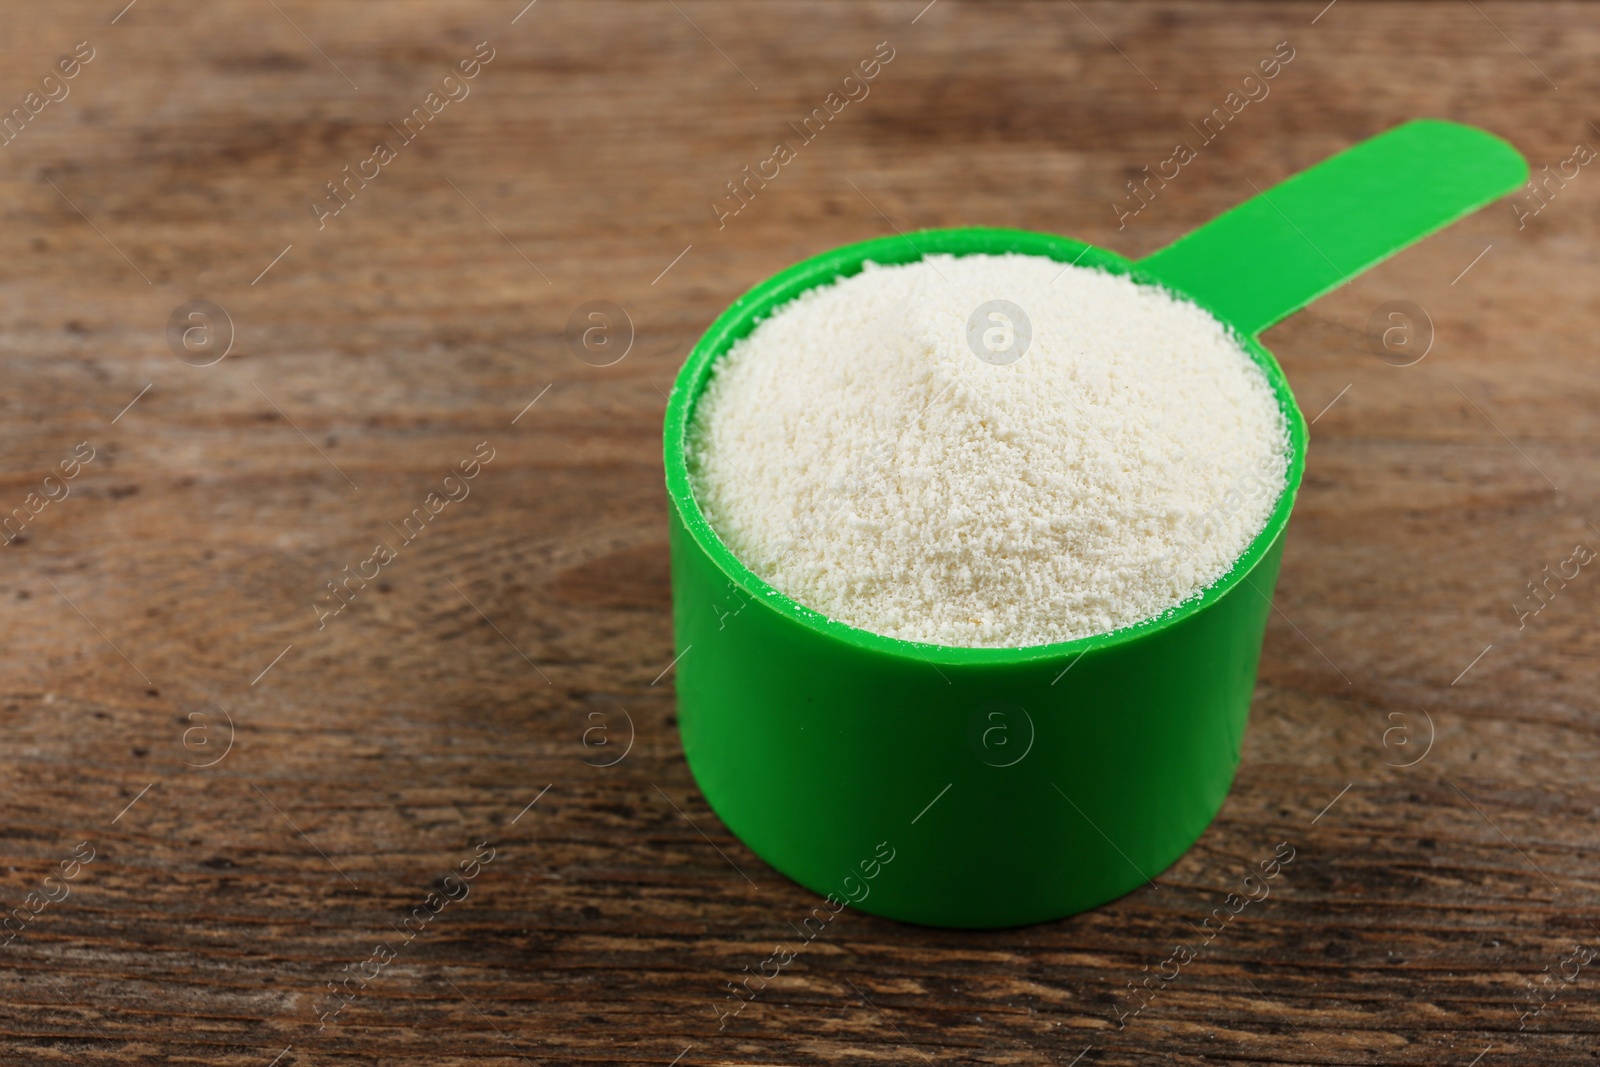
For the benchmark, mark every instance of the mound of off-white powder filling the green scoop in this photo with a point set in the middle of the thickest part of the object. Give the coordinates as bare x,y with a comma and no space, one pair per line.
858,454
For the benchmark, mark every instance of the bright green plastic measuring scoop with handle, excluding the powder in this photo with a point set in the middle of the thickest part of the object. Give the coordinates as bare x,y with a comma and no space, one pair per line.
1004,786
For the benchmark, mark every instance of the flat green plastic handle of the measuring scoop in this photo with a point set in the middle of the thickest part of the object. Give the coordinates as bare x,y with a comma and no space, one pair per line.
1289,246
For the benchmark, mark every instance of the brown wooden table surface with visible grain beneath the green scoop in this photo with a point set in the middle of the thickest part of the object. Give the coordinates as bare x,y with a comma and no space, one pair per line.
225,797
